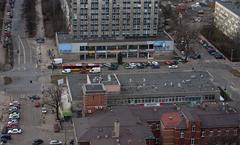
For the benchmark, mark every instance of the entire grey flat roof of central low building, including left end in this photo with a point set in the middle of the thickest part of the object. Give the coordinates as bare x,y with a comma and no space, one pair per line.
149,84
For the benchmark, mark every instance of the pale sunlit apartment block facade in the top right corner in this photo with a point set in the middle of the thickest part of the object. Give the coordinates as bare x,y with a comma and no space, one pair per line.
227,18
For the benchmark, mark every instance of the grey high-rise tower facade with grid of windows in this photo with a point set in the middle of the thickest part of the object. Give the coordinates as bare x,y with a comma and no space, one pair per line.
114,18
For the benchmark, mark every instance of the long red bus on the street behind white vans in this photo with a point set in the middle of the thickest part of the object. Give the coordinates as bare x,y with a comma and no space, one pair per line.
80,67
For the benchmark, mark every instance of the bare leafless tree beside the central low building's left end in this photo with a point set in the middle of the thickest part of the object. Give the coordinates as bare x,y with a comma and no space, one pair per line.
54,94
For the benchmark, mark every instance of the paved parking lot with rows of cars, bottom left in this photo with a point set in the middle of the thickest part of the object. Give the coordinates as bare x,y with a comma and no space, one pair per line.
34,123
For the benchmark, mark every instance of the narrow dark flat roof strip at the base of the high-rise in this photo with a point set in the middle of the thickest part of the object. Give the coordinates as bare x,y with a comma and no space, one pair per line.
67,38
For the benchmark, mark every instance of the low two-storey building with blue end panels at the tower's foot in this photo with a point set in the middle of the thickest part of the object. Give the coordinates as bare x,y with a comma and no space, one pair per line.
103,48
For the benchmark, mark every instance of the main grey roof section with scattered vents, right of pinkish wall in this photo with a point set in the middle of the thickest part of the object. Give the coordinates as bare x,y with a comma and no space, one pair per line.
166,84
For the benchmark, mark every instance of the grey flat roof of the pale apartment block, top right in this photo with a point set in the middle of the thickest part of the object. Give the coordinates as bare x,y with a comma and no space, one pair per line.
230,5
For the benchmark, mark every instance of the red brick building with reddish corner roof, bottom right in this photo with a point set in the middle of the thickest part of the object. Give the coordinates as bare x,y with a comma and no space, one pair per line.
192,127
